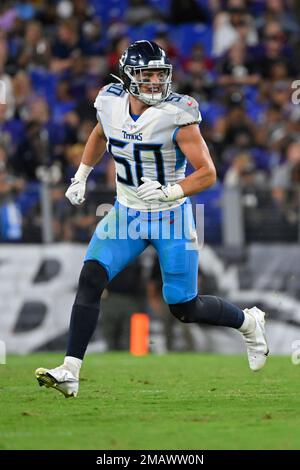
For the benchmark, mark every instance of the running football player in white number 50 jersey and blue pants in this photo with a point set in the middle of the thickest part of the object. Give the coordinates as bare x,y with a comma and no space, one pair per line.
150,132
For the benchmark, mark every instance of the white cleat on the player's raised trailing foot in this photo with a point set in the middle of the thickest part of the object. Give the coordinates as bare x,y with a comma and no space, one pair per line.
257,347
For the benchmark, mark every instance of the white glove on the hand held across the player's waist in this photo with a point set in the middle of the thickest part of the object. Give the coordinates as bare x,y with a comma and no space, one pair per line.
153,191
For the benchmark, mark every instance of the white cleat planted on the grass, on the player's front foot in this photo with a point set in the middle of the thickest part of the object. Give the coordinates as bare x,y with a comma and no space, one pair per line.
60,379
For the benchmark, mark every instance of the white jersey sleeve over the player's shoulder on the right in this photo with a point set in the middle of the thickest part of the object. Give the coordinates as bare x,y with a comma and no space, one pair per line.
187,109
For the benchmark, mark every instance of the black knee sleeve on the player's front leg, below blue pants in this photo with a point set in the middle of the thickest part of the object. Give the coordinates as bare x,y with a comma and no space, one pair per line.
92,281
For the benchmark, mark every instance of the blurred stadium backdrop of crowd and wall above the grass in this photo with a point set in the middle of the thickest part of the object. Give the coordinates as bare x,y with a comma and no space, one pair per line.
240,60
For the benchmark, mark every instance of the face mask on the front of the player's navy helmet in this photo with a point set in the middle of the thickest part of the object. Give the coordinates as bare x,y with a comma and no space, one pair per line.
141,86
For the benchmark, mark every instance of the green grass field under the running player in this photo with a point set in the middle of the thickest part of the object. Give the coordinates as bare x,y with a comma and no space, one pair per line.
174,401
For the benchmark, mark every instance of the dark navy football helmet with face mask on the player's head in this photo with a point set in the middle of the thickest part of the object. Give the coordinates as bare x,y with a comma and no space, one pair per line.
138,62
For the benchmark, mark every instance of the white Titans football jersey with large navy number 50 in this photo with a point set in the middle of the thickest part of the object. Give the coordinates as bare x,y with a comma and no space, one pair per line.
145,147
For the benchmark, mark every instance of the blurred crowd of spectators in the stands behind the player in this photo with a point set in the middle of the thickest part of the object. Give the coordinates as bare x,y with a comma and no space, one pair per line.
238,58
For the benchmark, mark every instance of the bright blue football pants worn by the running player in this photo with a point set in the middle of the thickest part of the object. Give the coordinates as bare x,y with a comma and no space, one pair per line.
124,233
